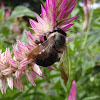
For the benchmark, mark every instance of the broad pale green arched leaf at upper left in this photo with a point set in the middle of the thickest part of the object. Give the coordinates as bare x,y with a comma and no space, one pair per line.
21,11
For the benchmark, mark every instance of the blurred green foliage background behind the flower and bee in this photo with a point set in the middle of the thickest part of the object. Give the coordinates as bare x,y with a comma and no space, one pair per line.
84,60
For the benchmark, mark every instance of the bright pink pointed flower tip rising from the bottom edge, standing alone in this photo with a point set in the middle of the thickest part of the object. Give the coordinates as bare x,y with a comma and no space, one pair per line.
73,92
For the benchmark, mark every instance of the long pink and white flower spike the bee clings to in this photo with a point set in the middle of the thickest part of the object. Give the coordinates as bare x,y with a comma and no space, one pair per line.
55,14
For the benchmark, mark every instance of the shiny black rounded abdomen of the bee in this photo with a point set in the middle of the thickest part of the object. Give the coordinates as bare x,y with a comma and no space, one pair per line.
45,62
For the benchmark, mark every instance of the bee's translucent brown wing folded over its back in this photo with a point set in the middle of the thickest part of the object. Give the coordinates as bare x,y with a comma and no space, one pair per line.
45,45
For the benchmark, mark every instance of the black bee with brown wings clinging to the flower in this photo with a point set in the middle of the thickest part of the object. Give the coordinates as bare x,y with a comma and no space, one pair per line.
50,50
